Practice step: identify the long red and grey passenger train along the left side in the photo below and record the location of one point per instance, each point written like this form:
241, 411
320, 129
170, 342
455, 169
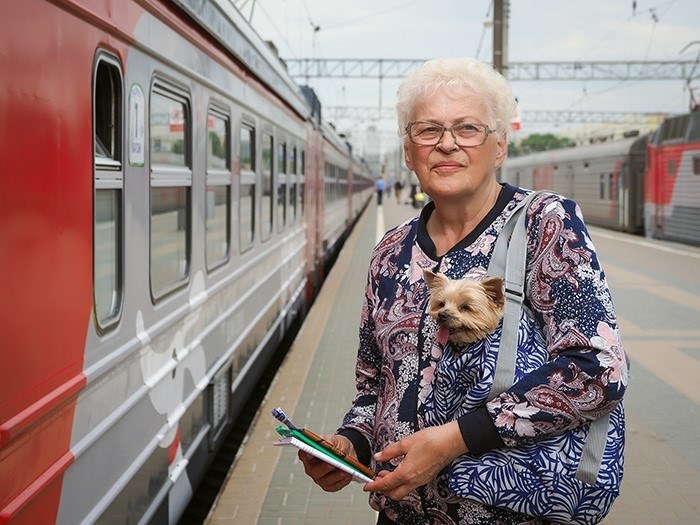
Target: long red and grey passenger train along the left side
170, 202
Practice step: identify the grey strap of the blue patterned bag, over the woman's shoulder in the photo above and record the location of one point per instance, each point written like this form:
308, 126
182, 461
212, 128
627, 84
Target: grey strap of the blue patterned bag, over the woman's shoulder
508, 261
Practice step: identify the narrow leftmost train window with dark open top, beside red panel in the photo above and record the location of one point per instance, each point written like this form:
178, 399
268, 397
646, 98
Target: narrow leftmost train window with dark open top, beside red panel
109, 185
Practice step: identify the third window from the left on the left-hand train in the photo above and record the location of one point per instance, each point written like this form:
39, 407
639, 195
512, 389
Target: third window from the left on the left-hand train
218, 202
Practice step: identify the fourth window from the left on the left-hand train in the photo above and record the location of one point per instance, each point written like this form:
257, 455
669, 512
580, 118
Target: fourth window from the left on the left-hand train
246, 198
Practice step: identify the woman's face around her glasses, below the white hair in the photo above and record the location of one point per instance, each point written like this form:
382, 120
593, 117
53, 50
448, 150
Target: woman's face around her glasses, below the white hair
447, 171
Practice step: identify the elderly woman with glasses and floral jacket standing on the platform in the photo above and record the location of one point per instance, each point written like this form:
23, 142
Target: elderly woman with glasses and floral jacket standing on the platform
453, 115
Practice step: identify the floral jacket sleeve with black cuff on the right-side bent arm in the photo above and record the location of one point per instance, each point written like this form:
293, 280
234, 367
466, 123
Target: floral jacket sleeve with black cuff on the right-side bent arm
568, 295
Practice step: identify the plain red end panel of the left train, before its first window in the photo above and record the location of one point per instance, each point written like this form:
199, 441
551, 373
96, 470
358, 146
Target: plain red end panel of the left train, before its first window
45, 245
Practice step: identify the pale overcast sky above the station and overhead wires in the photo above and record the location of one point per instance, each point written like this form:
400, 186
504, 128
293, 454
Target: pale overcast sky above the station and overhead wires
538, 31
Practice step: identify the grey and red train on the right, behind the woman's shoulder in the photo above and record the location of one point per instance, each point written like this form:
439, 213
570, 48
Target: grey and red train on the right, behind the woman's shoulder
646, 185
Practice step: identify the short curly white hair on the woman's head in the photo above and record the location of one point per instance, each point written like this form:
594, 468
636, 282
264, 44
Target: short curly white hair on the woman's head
457, 76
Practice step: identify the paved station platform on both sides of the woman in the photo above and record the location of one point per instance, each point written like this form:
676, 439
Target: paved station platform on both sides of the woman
314, 385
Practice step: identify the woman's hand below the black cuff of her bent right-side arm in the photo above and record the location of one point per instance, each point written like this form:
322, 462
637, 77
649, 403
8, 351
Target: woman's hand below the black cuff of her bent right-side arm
425, 453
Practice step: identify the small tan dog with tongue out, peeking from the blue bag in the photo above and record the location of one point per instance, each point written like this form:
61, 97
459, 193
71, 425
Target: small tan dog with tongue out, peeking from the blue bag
464, 309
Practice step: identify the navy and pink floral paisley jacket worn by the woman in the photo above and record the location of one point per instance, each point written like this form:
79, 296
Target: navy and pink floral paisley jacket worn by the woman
573, 368
